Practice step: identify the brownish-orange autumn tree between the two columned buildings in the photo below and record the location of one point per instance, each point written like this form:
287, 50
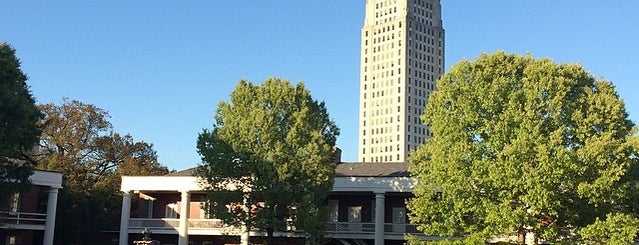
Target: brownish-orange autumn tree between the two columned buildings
78, 141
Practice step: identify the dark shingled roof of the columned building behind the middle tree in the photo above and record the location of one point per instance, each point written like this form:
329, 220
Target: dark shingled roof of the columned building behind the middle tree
354, 169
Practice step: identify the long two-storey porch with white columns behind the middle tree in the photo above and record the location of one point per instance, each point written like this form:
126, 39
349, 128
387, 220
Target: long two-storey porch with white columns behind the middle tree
368, 208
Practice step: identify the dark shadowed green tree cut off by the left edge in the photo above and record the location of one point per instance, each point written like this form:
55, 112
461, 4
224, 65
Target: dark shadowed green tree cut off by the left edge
18, 129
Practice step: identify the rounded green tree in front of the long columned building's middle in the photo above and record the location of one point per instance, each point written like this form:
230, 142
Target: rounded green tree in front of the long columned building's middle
268, 161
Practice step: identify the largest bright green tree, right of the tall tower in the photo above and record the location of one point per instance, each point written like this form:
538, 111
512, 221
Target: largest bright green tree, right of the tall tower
529, 146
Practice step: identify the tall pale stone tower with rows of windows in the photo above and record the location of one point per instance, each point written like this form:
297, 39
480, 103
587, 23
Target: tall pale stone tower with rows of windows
401, 58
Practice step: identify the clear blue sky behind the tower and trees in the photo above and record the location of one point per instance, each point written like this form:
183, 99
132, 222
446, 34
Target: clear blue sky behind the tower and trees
160, 67
